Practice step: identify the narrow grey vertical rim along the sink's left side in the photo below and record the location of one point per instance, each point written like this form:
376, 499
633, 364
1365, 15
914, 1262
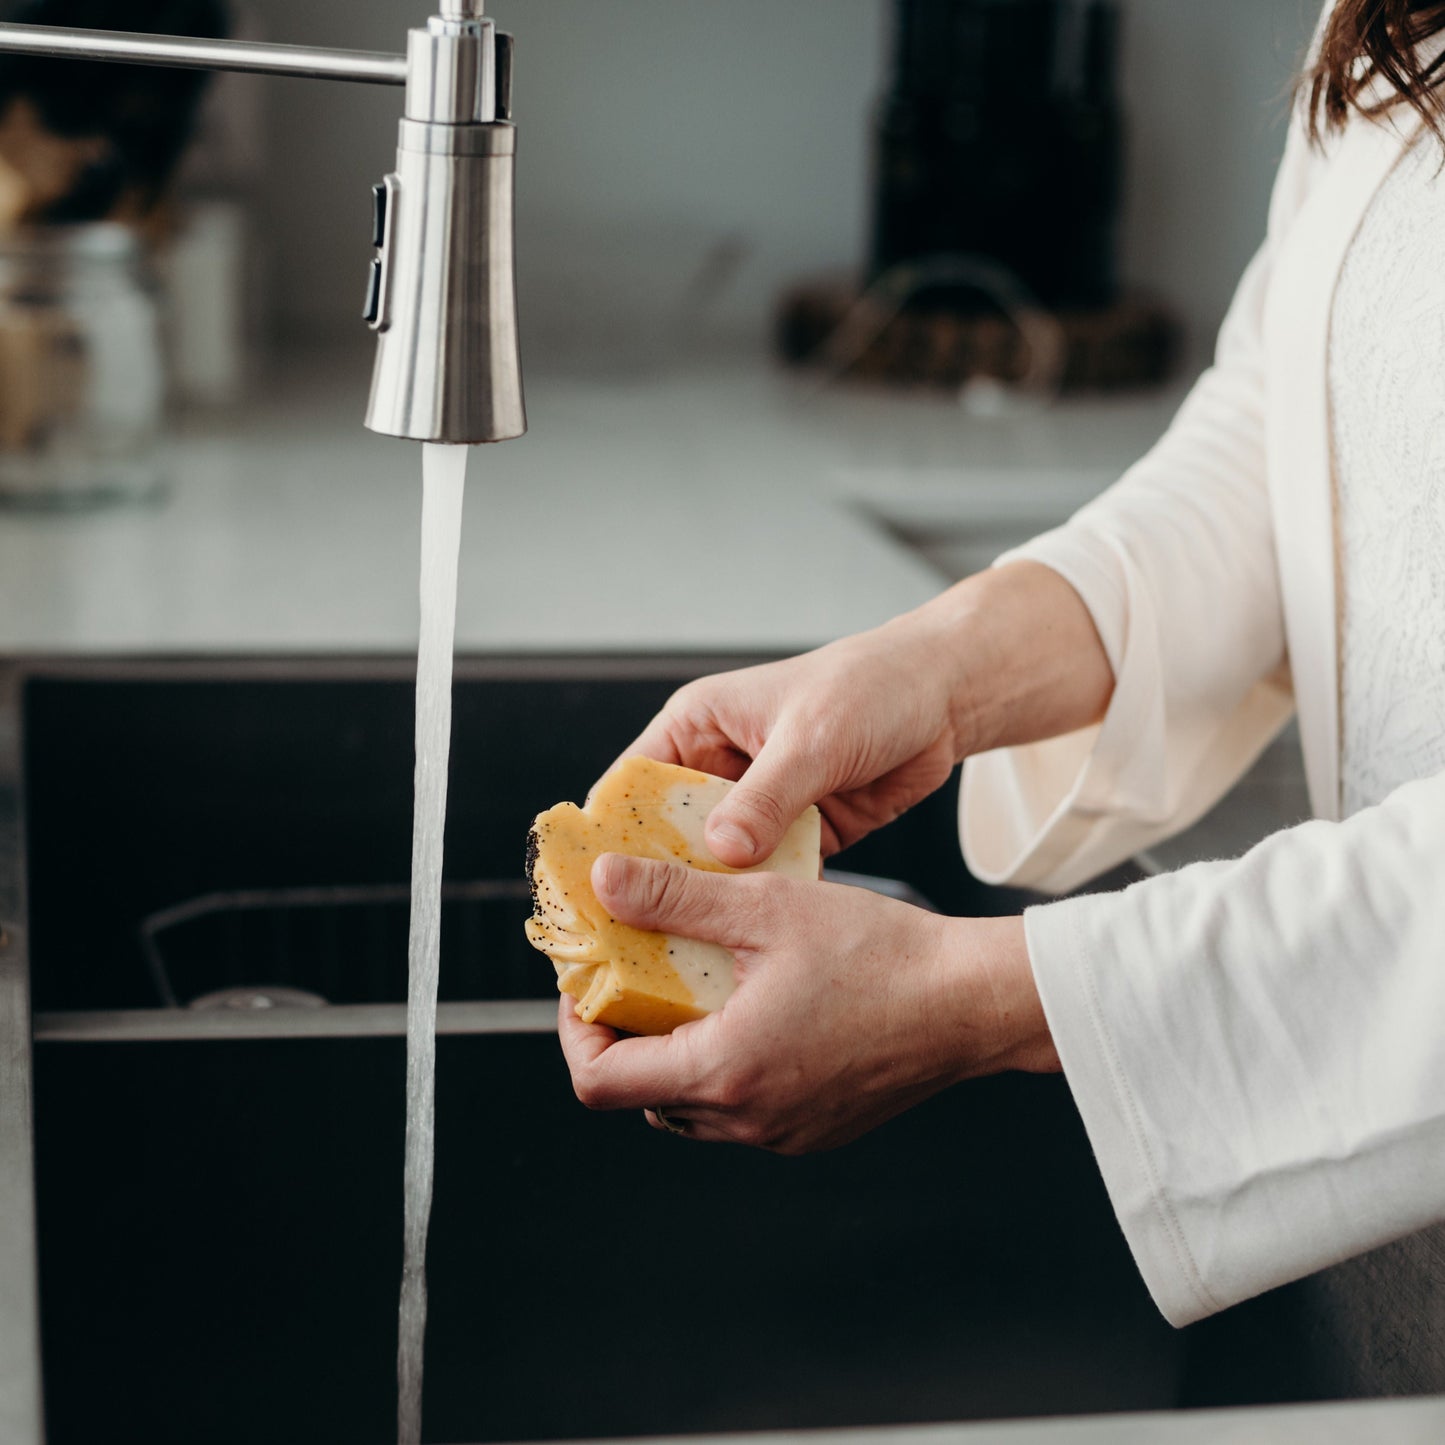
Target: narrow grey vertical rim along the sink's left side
21, 1410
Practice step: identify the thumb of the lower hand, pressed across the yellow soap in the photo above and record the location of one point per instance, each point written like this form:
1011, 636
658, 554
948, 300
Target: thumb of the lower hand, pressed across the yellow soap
668, 898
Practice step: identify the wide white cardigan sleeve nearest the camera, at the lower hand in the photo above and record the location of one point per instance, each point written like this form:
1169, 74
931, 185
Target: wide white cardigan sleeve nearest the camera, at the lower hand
1258, 1050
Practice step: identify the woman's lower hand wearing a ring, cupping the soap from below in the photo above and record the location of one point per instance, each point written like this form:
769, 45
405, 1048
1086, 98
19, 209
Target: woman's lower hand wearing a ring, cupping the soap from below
850, 1009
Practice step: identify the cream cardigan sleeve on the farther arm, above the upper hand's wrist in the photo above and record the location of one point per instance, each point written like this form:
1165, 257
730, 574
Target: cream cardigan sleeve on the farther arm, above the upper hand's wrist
1177, 566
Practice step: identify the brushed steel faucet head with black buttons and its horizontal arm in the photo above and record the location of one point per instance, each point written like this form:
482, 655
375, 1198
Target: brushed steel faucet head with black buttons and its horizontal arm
441, 294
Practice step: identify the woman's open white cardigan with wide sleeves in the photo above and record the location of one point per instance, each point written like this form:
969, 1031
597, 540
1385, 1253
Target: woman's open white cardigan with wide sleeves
1256, 1047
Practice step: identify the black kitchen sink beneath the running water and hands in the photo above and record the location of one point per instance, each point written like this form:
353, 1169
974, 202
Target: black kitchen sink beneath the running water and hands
219, 1189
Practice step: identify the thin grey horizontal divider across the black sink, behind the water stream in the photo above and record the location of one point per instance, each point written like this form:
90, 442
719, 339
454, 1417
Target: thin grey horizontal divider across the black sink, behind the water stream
362, 1021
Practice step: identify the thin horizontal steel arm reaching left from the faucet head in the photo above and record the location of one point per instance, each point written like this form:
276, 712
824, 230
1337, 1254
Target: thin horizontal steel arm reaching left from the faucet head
184, 53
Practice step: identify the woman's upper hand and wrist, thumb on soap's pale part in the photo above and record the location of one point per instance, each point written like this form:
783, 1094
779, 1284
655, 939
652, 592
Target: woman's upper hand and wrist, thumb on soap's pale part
871, 726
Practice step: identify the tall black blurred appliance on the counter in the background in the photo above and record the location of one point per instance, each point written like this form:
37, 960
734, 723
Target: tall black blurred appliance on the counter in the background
1001, 138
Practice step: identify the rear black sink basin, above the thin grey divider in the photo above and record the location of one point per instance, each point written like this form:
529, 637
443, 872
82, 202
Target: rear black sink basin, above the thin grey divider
256, 785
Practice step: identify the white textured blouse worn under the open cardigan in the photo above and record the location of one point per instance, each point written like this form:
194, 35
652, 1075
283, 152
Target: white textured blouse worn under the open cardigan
1388, 410
